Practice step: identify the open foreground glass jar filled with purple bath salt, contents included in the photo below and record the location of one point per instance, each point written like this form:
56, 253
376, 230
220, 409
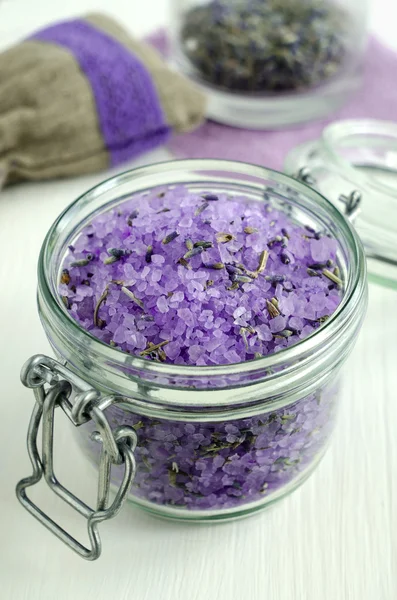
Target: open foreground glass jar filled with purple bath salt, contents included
206, 307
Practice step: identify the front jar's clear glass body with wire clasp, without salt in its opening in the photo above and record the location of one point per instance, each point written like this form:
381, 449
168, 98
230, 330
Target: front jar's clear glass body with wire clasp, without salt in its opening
212, 443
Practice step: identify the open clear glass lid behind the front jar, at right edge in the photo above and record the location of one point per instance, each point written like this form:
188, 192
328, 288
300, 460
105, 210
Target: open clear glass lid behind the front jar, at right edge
354, 164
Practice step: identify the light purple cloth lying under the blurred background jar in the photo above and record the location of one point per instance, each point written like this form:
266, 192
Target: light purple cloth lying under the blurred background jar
376, 100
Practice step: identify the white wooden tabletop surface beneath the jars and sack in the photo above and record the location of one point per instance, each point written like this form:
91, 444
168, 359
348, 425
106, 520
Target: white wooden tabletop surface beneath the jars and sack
334, 539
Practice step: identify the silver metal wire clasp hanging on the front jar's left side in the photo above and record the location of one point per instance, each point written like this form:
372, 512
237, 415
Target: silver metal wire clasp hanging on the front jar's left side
54, 385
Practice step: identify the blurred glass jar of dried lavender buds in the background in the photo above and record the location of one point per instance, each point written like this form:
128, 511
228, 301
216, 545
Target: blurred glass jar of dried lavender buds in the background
270, 63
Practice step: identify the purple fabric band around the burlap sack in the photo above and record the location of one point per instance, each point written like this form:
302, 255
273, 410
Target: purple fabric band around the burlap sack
129, 112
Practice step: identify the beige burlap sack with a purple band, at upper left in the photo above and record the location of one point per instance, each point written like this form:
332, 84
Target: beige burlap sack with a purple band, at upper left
83, 95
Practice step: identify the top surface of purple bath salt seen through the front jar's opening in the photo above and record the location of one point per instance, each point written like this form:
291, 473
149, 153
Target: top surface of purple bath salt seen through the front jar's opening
195, 279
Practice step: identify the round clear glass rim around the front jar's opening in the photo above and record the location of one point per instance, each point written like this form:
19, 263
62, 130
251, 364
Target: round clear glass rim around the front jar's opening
293, 354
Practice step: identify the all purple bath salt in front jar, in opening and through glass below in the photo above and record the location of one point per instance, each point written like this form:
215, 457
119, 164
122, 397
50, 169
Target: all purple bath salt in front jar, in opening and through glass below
181, 277
